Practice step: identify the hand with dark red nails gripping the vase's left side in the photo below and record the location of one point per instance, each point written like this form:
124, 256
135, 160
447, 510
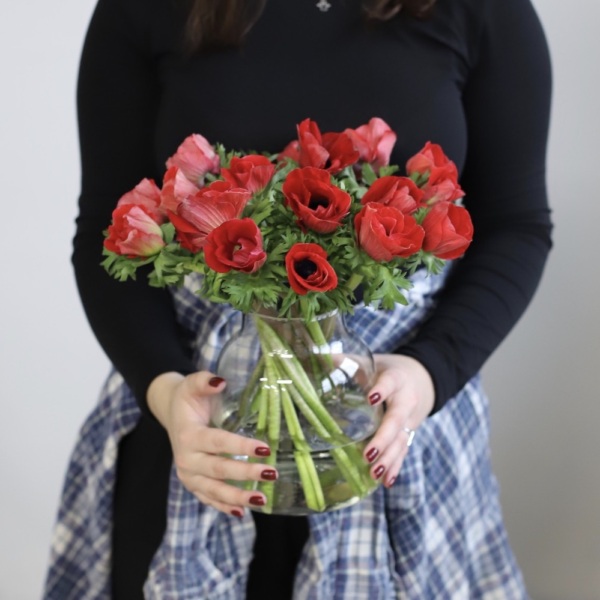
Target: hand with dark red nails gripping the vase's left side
182, 405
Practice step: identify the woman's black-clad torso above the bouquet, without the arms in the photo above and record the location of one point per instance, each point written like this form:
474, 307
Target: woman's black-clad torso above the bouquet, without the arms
299, 62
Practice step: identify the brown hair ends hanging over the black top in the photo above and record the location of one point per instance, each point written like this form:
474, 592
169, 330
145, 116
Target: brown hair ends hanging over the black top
223, 23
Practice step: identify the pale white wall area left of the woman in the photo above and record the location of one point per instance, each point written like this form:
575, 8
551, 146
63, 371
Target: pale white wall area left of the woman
50, 366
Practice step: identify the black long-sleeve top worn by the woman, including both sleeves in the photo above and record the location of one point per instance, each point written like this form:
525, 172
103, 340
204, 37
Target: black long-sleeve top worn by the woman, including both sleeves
474, 77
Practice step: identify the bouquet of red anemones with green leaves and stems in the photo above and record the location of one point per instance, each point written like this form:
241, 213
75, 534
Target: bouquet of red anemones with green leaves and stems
295, 234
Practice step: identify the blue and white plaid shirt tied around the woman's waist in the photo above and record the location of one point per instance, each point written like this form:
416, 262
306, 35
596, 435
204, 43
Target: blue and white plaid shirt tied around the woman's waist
437, 534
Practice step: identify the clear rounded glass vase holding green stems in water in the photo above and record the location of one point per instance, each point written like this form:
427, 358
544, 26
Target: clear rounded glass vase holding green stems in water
301, 388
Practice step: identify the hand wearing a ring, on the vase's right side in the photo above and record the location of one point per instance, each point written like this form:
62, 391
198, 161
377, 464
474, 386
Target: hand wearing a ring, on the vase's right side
406, 387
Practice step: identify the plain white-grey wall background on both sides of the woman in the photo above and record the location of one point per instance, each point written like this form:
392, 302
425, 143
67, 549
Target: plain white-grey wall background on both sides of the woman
543, 381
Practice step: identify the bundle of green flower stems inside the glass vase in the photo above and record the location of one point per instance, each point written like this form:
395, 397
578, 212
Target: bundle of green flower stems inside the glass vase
284, 391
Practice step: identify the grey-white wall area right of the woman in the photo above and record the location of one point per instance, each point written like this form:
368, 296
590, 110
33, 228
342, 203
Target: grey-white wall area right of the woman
545, 379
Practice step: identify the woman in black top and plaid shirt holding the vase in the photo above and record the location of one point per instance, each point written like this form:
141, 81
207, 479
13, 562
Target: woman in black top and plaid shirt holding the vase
471, 75
